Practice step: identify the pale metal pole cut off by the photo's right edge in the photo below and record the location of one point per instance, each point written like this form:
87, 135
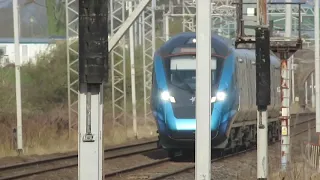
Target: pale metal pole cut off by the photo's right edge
317, 64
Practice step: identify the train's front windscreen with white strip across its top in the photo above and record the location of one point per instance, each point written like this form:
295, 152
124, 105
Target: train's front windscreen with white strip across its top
183, 71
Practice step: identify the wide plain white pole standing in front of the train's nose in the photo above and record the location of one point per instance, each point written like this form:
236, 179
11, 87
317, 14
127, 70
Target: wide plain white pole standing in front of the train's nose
203, 91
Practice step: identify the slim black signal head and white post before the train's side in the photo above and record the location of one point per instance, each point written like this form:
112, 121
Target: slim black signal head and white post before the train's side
262, 98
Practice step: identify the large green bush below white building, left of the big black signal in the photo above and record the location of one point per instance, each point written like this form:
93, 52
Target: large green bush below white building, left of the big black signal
43, 85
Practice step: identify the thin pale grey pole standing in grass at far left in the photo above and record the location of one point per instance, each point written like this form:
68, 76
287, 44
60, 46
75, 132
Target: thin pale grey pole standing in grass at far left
17, 71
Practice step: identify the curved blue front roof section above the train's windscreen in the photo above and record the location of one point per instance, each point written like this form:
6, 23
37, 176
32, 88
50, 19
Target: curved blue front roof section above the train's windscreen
219, 45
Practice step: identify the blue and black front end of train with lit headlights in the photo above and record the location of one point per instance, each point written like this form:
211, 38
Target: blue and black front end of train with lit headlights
174, 100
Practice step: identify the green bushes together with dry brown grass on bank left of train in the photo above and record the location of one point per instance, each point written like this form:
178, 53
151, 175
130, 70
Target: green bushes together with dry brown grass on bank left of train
44, 93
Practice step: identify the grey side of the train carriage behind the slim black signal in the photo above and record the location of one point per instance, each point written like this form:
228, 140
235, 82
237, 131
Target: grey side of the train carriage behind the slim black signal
246, 85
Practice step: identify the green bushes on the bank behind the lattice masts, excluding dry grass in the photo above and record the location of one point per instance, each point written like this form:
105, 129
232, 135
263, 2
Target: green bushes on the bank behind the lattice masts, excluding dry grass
44, 84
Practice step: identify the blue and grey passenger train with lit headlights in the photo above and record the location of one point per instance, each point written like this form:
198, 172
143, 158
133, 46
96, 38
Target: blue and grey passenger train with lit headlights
234, 112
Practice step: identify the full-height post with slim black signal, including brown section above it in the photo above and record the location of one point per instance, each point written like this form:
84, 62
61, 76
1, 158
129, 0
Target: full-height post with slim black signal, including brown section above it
262, 75
